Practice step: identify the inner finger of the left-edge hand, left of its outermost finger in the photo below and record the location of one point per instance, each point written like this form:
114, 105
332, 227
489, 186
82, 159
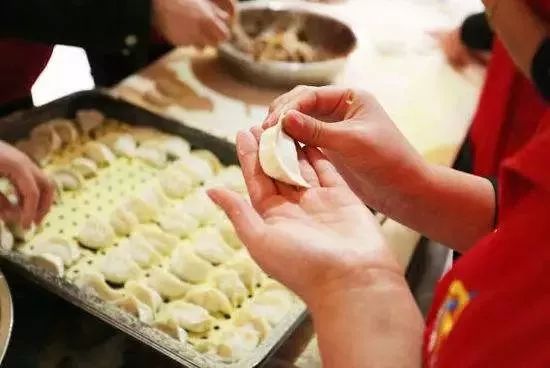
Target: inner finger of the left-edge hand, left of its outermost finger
27, 189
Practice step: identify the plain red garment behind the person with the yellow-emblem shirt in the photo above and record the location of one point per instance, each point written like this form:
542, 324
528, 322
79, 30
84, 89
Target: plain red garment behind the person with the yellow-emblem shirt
509, 109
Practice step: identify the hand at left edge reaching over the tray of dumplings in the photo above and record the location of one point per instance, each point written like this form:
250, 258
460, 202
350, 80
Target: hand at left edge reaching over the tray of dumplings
34, 190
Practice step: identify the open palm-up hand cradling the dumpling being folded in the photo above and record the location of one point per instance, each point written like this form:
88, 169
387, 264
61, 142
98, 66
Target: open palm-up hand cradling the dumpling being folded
316, 240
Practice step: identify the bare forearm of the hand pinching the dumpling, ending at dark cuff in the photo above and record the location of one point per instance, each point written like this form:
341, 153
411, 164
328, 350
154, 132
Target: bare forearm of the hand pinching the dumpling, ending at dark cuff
446, 205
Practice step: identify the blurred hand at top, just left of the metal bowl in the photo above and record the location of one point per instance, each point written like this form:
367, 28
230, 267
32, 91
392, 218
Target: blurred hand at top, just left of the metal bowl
193, 22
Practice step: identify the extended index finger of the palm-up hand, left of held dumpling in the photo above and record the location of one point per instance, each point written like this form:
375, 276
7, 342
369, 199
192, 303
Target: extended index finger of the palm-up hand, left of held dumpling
259, 185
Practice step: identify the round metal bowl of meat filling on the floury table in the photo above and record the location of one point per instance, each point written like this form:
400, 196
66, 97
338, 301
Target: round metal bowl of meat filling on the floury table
284, 44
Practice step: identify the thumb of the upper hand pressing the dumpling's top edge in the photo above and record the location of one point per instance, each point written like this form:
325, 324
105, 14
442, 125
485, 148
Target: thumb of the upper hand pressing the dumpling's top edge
316, 133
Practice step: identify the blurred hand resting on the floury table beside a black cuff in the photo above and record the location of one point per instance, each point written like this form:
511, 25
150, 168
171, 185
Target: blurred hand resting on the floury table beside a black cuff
458, 55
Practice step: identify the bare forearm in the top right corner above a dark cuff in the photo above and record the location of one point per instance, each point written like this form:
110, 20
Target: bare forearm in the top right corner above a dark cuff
518, 28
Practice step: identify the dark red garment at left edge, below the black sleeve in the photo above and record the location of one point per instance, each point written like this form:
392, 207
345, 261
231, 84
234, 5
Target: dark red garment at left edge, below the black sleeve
20, 65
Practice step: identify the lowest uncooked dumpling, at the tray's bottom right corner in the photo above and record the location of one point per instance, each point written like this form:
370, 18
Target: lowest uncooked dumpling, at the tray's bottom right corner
238, 342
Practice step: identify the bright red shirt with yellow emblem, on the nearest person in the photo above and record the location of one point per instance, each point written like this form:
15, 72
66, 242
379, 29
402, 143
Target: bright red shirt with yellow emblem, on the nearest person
493, 308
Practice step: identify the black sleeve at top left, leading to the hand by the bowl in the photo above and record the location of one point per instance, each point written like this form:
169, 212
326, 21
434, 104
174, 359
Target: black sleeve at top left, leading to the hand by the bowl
108, 25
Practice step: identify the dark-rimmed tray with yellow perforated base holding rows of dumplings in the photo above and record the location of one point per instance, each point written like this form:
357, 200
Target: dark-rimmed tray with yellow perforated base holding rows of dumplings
63, 219
